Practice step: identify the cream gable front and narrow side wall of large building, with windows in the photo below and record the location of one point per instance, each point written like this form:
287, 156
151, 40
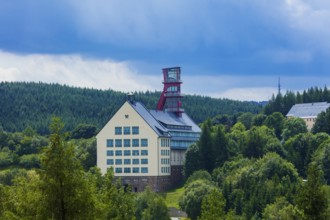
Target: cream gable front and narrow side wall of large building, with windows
131, 146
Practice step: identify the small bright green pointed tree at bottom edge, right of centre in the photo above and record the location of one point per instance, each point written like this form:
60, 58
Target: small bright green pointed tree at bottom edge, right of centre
213, 205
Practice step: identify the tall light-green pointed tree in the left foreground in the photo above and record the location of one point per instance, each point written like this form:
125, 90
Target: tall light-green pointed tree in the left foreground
64, 186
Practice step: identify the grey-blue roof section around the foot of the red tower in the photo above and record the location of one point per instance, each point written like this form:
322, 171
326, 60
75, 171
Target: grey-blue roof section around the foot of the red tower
171, 120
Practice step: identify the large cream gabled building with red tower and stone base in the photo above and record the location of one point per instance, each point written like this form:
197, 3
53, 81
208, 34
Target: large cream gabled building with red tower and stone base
147, 147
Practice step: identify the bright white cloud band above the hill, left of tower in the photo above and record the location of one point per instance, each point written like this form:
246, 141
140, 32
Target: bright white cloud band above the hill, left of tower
75, 71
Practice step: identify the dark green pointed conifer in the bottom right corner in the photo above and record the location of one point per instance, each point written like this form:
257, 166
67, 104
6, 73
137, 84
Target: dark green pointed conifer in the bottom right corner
312, 197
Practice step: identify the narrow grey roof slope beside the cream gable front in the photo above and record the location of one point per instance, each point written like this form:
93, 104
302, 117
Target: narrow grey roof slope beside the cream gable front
149, 119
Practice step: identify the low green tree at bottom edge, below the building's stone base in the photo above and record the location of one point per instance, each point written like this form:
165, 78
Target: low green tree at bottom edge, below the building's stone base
151, 206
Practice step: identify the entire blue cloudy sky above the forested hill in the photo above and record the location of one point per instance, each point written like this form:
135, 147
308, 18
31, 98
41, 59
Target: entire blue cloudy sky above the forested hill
234, 49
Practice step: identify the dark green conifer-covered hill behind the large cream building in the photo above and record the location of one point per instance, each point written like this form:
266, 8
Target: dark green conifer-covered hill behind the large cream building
33, 104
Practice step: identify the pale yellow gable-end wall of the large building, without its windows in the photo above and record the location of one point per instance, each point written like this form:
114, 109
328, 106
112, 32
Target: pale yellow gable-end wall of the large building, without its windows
145, 131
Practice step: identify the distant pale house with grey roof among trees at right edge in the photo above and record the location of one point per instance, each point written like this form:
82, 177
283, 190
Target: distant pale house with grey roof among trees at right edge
308, 112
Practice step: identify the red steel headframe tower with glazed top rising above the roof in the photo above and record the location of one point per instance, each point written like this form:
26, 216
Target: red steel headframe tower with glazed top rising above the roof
170, 98
